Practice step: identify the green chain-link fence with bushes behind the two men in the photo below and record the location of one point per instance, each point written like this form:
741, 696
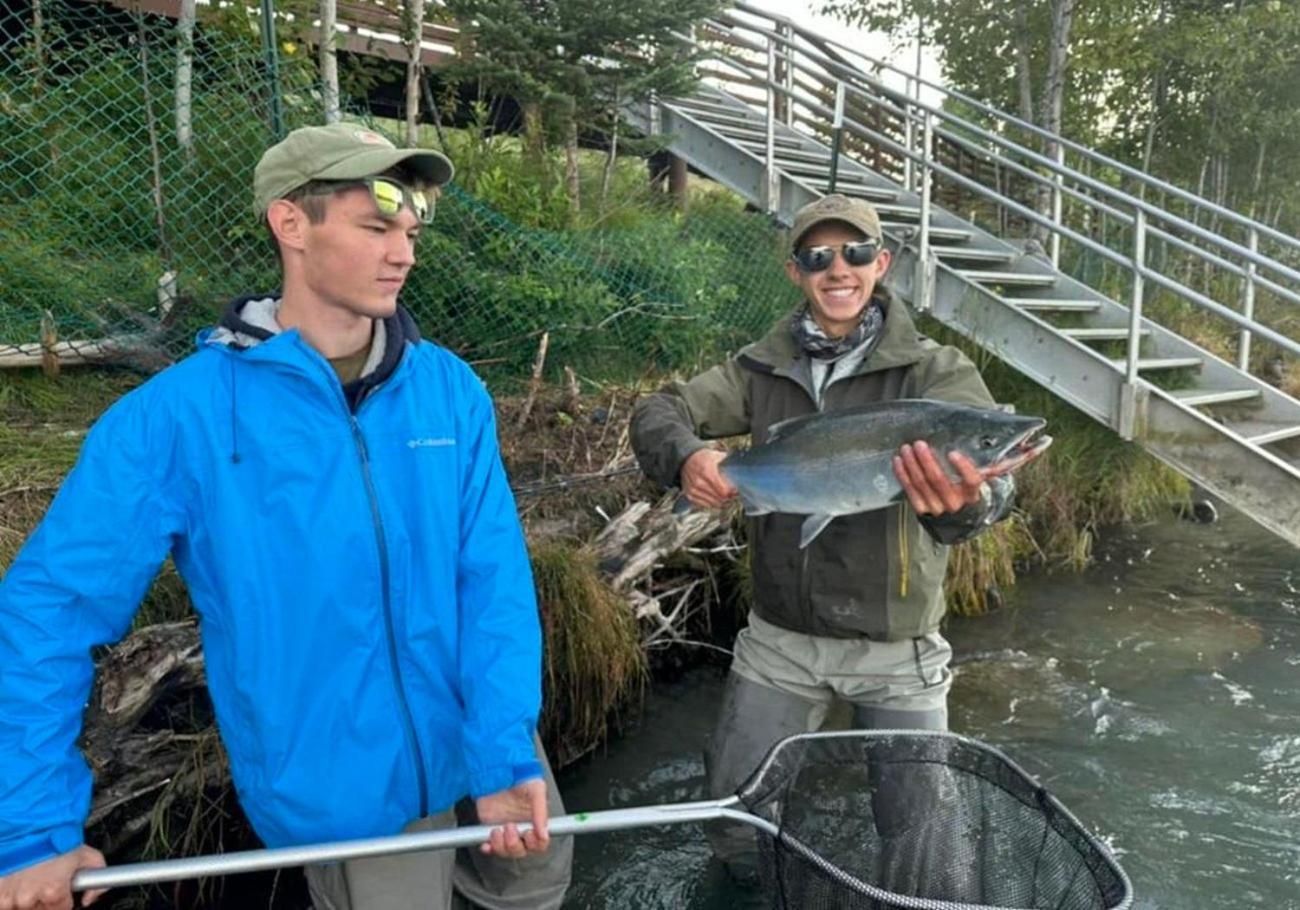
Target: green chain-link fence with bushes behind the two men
127, 223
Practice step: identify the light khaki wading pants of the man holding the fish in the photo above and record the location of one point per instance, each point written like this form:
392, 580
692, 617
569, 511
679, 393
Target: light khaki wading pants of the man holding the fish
785, 683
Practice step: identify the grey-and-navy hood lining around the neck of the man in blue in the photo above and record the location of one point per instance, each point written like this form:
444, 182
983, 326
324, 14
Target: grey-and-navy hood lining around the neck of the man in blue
252, 319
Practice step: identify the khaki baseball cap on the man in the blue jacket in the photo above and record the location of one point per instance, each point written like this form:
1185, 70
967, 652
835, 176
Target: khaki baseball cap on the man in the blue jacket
339, 153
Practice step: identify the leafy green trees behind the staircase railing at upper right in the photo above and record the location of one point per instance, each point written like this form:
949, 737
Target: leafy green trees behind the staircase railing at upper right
1214, 90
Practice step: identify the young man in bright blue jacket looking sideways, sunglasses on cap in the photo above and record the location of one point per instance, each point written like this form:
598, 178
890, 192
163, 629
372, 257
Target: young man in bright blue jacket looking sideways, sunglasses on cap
331, 489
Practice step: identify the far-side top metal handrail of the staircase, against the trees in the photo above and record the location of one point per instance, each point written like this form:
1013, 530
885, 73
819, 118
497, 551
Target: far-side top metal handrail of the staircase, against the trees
1129, 171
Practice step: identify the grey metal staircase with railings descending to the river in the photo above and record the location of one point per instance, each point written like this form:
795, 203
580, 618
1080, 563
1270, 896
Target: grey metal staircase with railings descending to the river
786, 115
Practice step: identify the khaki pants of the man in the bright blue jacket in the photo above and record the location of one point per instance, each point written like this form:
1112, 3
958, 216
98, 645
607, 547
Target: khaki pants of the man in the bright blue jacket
450, 879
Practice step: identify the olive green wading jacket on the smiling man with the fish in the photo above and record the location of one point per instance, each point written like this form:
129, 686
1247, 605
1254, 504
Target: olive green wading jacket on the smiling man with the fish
877, 575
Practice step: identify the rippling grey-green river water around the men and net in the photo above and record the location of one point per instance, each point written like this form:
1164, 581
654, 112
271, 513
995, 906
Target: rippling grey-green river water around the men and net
1156, 695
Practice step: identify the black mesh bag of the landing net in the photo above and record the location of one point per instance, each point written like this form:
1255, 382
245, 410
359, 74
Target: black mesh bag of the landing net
920, 821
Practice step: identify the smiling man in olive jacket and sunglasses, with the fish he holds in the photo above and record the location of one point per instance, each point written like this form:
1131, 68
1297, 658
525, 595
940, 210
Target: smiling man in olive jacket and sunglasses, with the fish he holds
848, 578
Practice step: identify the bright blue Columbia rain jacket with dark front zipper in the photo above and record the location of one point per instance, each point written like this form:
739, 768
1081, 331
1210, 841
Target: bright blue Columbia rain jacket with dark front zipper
365, 593
